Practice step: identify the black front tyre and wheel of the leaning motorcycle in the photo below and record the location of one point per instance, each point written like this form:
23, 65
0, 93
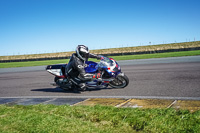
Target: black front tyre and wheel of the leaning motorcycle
120, 81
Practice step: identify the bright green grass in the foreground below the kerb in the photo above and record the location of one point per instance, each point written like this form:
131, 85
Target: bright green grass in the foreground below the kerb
101, 119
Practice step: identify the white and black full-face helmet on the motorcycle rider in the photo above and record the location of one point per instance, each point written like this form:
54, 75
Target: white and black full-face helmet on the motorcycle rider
82, 52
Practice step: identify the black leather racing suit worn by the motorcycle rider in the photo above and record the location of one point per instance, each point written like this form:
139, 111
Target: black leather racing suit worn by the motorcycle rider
75, 69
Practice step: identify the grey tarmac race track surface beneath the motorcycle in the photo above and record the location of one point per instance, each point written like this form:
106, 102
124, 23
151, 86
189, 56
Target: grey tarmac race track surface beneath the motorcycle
164, 78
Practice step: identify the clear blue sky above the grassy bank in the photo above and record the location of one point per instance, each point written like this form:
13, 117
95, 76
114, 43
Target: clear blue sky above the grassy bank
46, 26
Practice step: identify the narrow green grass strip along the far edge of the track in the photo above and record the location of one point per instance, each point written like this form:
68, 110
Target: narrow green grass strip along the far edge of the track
126, 57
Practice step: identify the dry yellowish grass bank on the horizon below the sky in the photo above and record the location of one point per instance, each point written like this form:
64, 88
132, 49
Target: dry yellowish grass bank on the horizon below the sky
110, 50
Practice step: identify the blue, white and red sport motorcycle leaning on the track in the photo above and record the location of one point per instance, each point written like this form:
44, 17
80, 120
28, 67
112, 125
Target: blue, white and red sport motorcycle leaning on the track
111, 75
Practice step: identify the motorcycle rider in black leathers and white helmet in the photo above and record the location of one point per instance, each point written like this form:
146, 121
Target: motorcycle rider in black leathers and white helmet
75, 68
